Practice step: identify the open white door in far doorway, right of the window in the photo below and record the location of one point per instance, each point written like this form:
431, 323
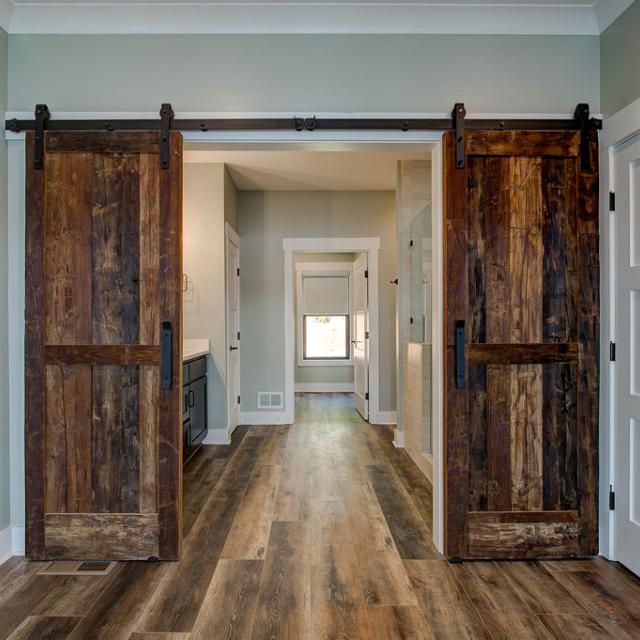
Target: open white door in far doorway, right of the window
360, 335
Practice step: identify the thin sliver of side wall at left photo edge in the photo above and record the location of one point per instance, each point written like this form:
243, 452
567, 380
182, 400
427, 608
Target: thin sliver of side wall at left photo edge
5, 510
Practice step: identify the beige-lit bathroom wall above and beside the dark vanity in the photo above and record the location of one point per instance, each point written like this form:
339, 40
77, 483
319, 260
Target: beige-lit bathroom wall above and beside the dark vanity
209, 200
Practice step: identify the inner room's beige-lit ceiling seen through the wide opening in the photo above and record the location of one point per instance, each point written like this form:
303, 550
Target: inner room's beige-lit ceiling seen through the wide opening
308, 170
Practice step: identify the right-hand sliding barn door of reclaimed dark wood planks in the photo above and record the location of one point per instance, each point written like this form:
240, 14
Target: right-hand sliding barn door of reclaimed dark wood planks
521, 314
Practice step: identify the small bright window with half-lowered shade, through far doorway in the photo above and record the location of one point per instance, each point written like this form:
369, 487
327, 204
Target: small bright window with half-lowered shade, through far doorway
323, 314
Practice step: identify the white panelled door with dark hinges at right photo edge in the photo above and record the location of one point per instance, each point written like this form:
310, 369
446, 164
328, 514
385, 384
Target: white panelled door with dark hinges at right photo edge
626, 309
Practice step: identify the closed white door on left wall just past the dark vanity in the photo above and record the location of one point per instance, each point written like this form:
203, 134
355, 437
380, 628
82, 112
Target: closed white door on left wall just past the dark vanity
233, 326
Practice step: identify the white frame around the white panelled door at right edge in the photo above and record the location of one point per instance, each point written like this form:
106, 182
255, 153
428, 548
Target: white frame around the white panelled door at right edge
616, 130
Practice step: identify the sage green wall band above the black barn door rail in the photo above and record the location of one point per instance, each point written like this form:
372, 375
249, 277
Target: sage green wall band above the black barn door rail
410, 73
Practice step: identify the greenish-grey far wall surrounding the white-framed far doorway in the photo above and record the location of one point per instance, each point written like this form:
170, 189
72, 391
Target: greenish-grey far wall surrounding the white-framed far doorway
265, 218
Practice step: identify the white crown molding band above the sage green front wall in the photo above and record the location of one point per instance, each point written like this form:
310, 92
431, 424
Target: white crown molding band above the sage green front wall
554, 17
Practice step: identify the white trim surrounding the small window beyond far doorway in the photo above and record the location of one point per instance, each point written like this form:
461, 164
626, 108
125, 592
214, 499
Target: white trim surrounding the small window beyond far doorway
319, 269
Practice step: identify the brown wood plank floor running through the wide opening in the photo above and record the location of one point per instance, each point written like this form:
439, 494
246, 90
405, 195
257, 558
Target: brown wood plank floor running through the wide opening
320, 530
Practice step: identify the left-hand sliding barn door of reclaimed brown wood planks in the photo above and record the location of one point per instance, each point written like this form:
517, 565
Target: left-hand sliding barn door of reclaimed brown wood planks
103, 347
